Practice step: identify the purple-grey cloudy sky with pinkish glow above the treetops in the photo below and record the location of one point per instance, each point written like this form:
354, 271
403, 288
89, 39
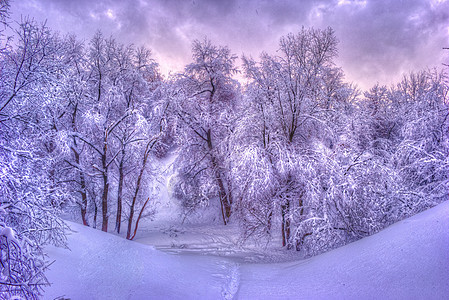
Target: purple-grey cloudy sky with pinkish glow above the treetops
379, 39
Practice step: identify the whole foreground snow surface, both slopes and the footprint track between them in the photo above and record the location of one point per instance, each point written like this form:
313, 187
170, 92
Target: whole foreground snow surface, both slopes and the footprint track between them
408, 260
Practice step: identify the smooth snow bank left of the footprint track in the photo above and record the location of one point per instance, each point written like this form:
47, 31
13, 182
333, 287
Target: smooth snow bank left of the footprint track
104, 266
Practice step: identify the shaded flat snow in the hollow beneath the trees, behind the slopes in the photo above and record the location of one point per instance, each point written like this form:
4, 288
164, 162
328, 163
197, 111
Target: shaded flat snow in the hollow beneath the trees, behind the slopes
202, 232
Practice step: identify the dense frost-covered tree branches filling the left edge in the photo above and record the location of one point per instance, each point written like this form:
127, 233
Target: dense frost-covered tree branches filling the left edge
31, 195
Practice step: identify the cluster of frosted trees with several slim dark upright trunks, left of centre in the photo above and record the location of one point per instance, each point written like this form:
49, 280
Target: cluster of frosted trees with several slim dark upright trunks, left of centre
112, 104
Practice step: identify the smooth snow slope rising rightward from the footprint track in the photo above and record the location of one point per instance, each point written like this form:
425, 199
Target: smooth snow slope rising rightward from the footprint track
408, 260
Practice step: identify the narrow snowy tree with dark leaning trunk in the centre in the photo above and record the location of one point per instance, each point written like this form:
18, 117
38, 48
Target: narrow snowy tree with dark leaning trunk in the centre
203, 103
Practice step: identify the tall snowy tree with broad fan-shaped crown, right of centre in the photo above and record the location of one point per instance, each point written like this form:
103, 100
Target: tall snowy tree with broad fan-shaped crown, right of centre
292, 98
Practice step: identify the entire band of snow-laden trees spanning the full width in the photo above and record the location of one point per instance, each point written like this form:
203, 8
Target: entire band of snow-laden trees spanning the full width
291, 152
